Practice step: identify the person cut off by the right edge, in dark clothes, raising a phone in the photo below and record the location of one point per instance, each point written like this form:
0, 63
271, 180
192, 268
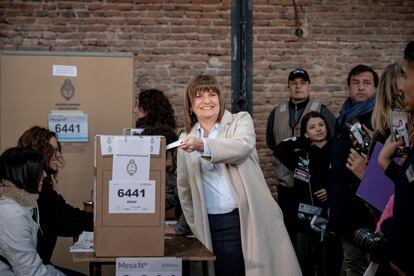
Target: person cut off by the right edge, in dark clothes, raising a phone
399, 231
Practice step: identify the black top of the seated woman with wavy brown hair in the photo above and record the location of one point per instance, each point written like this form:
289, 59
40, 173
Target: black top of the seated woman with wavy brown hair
57, 218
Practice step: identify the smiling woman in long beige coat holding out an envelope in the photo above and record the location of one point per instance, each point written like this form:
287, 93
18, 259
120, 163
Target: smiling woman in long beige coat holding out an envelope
223, 193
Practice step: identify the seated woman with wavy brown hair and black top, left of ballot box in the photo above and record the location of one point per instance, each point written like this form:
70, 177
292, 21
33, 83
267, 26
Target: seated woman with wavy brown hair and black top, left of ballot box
57, 217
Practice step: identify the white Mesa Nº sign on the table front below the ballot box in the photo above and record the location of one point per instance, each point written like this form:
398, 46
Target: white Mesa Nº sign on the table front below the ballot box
149, 266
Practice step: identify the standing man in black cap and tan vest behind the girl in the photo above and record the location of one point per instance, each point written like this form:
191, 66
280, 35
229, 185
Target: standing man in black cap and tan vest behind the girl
284, 122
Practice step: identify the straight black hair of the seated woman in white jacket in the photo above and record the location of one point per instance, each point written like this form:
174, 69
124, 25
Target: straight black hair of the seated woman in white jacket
23, 167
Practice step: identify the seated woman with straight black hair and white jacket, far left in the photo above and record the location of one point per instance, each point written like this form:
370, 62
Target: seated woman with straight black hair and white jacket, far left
21, 173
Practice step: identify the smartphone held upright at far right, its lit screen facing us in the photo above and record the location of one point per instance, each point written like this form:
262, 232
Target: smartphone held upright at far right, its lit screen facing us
399, 127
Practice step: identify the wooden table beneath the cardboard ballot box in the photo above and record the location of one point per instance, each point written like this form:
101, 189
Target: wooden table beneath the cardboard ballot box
189, 249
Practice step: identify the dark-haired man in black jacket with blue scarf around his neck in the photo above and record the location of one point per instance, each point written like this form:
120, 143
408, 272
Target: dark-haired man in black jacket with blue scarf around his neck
347, 211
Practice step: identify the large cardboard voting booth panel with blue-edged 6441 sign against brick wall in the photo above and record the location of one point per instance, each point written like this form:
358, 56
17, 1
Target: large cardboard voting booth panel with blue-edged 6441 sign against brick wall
93, 91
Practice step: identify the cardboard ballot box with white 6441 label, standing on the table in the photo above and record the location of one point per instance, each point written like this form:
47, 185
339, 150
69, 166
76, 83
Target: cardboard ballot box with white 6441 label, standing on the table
129, 216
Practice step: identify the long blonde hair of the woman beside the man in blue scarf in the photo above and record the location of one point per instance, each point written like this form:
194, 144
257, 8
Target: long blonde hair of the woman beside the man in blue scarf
388, 97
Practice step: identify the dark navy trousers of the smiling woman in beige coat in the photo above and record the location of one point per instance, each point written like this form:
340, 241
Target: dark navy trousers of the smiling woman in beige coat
226, 239
